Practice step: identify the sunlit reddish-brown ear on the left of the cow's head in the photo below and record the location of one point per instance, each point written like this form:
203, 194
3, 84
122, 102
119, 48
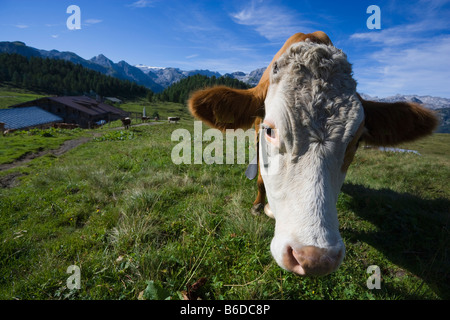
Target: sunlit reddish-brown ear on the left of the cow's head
227, 108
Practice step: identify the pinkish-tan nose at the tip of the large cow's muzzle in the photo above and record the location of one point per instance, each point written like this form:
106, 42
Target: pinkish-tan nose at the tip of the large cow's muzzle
311, 261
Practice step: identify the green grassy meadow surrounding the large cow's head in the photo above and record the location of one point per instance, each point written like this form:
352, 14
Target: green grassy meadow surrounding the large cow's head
140, 227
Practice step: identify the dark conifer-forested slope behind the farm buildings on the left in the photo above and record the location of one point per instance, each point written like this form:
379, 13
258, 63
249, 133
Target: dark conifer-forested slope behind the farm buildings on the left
61, 77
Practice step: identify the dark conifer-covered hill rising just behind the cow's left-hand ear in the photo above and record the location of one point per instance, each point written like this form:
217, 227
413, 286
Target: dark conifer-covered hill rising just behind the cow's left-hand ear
179, 92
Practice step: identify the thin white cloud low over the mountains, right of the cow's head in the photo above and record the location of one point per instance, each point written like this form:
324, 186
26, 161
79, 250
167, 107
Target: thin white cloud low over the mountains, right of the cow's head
421, 69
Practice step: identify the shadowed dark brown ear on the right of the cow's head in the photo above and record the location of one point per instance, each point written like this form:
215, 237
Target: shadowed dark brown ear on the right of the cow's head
393, 123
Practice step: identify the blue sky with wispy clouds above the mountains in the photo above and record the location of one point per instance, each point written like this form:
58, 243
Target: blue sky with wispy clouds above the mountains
410, 54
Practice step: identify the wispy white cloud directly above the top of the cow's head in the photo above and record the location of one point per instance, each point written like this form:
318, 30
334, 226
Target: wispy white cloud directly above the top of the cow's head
270, 21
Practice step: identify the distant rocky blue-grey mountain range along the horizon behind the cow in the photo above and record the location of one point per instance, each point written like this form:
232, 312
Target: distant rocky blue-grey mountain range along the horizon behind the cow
157, 79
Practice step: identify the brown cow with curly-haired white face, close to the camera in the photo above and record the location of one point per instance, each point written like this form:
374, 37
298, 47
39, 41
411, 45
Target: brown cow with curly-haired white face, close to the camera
309, 120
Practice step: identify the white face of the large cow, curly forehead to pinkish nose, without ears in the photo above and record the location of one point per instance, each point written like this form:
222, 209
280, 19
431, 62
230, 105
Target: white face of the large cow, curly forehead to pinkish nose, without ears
309, 136
